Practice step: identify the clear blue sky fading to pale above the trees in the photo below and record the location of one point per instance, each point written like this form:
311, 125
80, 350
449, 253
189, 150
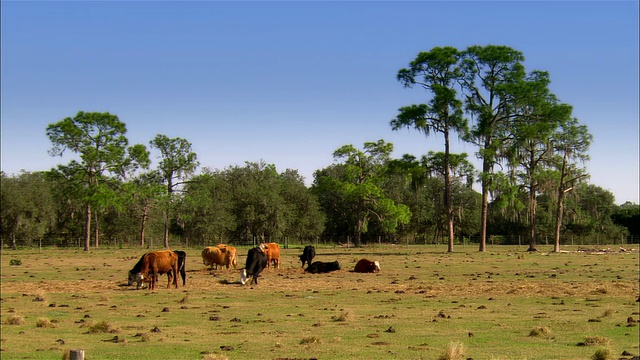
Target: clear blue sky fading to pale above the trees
290, 82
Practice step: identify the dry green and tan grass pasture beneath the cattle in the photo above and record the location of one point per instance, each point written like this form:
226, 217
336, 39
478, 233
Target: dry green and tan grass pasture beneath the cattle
424, 304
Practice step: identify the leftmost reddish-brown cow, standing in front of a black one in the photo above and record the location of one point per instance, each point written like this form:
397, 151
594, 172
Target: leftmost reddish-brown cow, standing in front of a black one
153, 264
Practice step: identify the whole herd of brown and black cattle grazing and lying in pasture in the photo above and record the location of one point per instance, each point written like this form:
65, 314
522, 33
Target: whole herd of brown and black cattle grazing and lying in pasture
172, 262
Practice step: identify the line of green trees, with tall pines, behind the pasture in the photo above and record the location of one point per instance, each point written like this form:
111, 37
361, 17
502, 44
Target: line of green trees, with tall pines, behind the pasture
531, 148
